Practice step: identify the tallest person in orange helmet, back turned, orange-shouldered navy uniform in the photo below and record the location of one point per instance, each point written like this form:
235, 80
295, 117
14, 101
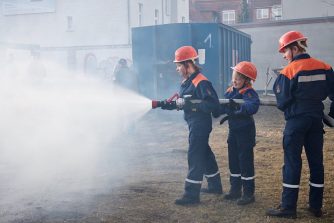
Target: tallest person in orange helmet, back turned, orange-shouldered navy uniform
300, 89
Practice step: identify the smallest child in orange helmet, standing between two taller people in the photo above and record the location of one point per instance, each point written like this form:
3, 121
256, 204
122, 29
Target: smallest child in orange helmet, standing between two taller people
241, 137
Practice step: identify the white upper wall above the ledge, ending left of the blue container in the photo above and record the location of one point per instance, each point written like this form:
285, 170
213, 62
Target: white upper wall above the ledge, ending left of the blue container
94, 23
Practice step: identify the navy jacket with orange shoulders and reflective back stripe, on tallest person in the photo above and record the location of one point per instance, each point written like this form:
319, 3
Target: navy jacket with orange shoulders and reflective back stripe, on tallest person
302, 86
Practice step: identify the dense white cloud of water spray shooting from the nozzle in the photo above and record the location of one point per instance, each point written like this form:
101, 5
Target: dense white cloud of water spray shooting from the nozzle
59, 128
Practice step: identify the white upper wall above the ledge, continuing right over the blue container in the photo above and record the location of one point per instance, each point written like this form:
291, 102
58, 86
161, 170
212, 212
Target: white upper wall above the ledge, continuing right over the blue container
95, 22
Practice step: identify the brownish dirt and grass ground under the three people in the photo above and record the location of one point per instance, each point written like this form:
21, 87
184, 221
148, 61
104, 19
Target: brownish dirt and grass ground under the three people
157, 167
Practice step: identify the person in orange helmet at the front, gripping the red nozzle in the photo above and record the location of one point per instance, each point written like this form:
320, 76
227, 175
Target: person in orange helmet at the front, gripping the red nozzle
201, 160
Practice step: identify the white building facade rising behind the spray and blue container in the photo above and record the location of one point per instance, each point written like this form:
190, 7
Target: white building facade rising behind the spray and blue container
86, 36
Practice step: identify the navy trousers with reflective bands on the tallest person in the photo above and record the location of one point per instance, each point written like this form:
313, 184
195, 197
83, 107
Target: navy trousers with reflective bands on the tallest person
308, 132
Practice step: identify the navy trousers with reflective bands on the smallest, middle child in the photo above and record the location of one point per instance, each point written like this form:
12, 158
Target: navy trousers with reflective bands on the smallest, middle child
241, 159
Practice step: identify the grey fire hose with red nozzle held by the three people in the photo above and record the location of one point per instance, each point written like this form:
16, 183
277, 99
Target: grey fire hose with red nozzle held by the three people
171, 104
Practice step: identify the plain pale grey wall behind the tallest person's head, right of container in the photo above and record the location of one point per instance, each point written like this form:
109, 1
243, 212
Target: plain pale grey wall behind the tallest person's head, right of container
265, 46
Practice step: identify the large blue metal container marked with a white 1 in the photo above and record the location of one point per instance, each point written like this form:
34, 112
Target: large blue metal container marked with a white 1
219, 46
